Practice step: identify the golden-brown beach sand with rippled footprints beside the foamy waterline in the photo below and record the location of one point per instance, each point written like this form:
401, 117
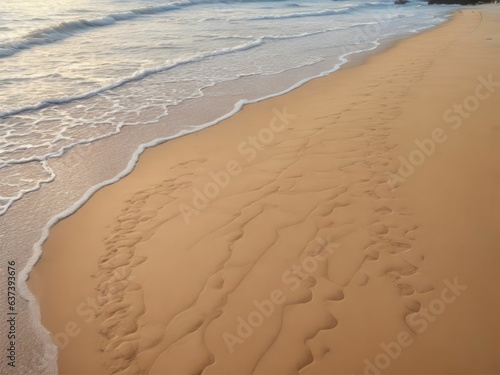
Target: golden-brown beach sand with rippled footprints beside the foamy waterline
306, 259
